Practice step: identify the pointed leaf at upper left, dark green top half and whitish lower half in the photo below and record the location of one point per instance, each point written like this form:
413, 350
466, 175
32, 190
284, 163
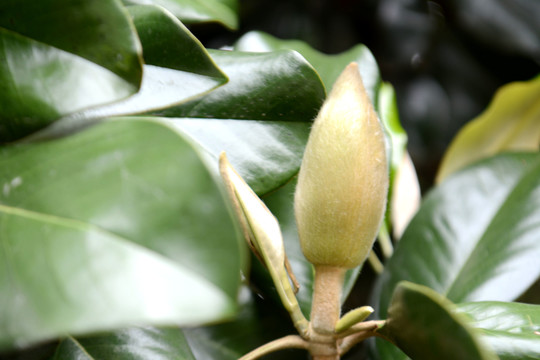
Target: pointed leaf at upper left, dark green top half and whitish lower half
177, 68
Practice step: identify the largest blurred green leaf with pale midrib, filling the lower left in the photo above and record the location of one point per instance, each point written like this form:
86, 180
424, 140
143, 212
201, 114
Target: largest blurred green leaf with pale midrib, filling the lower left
104, 228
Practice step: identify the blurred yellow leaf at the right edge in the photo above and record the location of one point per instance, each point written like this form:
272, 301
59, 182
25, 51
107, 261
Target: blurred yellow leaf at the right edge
510, 123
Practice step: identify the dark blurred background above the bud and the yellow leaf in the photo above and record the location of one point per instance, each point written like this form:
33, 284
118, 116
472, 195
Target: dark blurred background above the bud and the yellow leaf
445, 58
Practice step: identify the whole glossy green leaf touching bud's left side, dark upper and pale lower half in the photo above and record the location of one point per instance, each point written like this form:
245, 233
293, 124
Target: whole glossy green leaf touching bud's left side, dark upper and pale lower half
266, 151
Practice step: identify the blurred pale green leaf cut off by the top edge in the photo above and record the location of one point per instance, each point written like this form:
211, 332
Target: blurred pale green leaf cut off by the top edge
196, 11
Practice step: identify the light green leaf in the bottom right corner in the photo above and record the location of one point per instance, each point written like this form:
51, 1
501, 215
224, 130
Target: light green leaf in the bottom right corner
511, 329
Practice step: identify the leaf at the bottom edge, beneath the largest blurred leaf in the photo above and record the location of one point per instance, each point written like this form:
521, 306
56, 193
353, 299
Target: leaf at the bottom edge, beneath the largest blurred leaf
129, 344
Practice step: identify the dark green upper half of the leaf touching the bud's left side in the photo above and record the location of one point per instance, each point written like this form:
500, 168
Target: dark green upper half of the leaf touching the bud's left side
279, 86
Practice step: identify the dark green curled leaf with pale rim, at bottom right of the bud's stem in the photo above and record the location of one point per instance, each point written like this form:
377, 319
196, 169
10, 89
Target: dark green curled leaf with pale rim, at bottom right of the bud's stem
422, 324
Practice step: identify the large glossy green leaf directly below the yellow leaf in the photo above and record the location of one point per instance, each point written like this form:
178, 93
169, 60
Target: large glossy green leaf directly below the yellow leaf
475, 236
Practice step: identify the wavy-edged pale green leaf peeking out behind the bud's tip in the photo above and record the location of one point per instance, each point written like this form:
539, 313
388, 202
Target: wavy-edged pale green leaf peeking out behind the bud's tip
328, 66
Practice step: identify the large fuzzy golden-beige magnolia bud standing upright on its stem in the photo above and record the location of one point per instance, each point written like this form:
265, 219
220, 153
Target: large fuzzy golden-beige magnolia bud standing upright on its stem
343, 181
